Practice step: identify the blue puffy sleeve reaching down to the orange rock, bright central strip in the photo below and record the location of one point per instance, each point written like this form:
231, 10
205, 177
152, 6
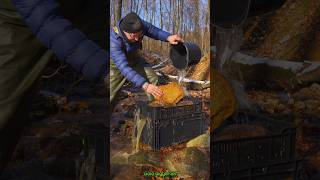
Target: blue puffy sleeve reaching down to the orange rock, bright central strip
120, 59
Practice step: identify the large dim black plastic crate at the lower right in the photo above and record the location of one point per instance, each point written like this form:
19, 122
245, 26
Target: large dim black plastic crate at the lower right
254, 156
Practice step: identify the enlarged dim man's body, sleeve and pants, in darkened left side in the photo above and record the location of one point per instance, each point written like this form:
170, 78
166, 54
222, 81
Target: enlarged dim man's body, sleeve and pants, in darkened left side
73, 30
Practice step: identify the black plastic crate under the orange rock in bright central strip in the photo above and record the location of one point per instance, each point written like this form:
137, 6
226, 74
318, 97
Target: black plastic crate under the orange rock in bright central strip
166, 126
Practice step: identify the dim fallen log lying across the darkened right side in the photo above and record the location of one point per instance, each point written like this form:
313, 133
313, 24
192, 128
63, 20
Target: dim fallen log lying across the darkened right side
262, 73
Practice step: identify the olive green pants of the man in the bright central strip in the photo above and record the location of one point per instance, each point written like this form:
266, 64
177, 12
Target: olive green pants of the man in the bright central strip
117, 80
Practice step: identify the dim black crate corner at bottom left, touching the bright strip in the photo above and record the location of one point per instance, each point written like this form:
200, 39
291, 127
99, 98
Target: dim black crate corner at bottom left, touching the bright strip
94, 144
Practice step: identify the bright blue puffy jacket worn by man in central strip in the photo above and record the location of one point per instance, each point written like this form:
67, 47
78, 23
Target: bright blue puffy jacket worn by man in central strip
119, 46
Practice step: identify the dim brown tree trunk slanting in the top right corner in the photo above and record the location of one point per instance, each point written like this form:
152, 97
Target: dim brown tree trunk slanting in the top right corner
290, 29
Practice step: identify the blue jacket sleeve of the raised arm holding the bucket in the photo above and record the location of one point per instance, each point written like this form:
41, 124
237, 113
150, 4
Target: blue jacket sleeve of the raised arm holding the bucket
154, 32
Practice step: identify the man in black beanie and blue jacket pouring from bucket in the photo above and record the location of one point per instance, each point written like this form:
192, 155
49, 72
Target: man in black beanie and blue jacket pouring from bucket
126, 61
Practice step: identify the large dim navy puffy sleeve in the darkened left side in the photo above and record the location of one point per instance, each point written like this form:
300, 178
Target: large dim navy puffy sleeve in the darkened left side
68, 43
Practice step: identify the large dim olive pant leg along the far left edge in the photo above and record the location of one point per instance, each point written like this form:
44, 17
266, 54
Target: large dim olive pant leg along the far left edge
22, 59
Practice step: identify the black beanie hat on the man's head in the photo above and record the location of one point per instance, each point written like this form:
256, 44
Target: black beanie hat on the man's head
131, 23
